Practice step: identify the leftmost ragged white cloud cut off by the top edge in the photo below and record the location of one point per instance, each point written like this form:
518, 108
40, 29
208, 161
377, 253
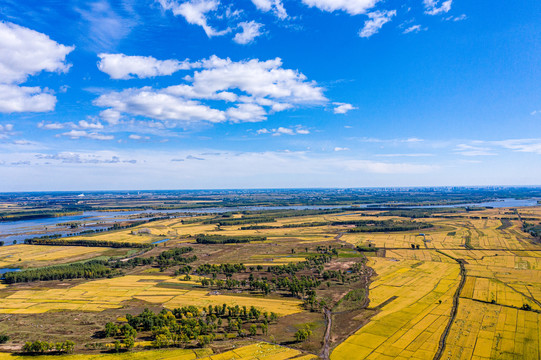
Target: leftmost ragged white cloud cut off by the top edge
195, 12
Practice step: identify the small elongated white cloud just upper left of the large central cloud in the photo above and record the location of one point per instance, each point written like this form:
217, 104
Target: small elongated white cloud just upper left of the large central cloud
120, 66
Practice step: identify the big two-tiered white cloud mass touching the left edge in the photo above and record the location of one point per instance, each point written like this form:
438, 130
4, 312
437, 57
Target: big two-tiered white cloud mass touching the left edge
23, 53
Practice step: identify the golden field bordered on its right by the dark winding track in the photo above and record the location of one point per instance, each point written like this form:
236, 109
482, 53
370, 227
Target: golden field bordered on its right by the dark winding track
410, 326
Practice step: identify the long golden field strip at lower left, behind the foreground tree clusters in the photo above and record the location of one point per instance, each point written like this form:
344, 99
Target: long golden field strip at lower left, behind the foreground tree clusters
99, 295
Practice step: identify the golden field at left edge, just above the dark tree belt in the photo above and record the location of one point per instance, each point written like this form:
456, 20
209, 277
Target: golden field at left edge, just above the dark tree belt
38, 255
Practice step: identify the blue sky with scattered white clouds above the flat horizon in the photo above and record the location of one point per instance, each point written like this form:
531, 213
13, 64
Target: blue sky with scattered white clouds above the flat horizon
171, 94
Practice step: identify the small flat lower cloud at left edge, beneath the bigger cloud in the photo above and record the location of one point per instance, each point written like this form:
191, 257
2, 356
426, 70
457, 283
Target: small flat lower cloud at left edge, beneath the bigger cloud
15, 98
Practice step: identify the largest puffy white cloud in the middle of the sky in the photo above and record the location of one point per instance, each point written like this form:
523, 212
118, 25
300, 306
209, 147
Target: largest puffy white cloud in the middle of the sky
254, 88
